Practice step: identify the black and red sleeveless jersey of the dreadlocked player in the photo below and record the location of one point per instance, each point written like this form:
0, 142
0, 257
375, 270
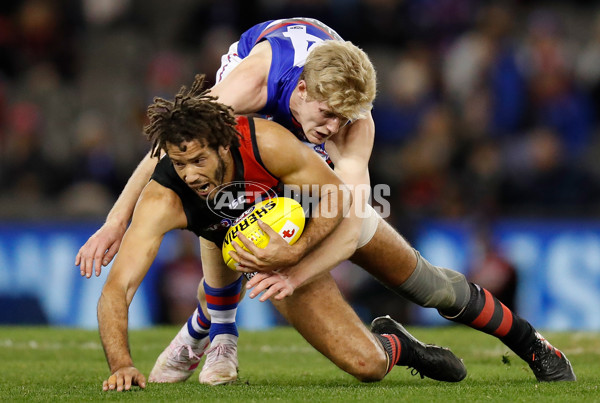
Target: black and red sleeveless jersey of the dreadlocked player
211, 218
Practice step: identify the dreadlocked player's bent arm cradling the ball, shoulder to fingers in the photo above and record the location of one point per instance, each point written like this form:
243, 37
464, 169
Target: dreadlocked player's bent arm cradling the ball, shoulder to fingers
299, 166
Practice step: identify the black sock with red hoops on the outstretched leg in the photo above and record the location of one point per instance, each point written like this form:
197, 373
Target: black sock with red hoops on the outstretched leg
486, 313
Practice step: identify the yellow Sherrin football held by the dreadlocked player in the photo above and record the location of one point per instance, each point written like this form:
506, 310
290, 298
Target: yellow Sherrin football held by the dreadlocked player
283, 214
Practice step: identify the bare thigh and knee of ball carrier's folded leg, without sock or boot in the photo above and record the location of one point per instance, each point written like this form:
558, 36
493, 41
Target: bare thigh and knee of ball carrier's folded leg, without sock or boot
322, 316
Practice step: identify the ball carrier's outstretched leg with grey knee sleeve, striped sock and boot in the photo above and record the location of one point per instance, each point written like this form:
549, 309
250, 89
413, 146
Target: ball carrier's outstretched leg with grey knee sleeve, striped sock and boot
392, 261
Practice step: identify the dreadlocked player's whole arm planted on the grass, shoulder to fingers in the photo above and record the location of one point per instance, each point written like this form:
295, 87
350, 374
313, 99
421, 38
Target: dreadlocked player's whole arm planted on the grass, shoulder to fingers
158, 211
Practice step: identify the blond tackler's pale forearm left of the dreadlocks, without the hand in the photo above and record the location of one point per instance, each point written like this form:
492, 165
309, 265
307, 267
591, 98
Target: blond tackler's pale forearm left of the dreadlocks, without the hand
123, 208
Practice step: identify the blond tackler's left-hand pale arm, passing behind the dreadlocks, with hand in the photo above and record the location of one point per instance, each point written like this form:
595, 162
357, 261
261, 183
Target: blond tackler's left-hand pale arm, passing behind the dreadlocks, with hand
244, 89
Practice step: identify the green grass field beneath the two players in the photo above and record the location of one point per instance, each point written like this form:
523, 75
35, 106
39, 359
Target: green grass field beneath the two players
53, 364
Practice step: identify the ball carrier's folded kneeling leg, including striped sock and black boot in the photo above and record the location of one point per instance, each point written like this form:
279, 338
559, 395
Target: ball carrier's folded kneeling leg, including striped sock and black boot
320, 314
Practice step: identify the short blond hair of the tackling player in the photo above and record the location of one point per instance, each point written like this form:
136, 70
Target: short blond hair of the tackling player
342, 75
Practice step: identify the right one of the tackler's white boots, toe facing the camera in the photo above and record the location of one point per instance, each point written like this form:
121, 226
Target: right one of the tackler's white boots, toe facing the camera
221, 365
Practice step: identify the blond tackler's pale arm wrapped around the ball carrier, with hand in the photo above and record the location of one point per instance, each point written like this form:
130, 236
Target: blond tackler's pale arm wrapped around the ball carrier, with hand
350, 153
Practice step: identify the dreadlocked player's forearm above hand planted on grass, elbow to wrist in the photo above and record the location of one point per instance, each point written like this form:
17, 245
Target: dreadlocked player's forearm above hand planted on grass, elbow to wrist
112, 323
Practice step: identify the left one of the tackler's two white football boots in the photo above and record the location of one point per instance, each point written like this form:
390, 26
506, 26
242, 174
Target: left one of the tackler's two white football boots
178, 361
